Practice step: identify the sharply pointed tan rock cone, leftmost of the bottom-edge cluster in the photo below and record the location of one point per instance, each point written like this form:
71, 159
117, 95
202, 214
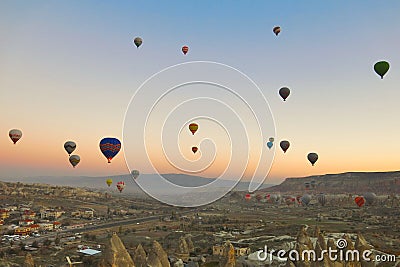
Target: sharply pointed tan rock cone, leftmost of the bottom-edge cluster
116, 254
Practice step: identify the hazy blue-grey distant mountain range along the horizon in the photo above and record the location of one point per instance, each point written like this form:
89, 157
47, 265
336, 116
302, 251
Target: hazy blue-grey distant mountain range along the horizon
131, 186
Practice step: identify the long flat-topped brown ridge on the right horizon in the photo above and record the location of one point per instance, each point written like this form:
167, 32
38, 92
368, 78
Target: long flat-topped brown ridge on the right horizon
350, 182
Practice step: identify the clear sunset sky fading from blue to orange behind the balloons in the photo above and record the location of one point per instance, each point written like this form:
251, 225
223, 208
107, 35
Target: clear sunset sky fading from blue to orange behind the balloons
68, 70
